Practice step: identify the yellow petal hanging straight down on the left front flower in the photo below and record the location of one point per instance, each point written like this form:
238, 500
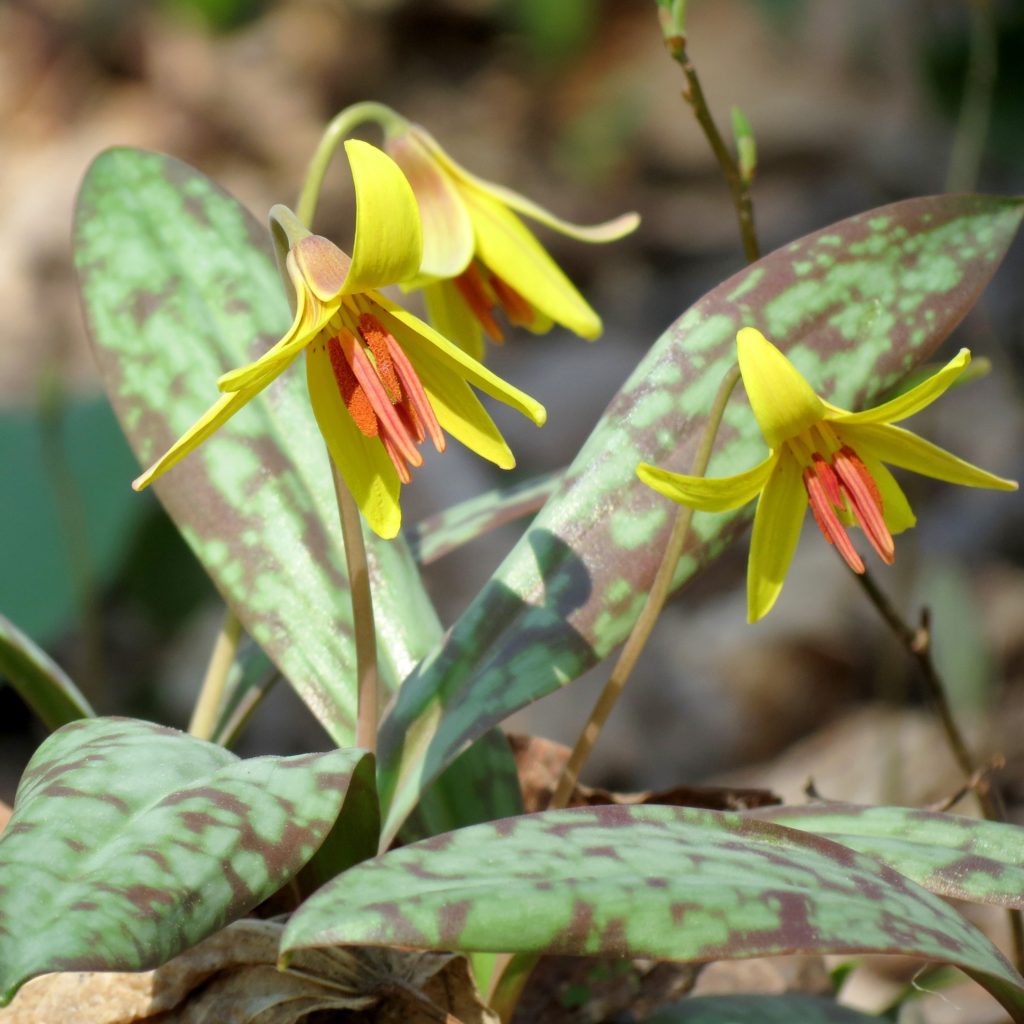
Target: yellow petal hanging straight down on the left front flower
364, 464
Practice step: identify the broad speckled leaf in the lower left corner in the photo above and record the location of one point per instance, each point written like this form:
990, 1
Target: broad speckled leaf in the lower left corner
131, 843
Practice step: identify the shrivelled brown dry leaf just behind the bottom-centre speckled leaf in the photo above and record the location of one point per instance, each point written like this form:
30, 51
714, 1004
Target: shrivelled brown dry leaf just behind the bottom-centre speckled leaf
540, 763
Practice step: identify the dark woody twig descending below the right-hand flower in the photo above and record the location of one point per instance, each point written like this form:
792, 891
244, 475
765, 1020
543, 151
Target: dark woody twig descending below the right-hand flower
918, 644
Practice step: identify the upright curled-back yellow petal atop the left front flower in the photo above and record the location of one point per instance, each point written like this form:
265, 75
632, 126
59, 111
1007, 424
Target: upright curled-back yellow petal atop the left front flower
389, 244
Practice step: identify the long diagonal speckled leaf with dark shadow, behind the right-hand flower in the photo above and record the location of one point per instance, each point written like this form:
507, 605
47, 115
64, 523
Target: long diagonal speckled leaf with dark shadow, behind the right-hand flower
856, 307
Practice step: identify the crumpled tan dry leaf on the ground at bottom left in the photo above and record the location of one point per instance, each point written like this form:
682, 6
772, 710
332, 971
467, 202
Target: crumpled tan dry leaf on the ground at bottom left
232, 978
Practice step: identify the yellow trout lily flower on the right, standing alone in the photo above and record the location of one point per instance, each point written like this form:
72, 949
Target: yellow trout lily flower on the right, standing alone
825, 457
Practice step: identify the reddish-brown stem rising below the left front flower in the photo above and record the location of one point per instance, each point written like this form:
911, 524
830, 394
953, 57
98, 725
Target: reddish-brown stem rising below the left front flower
363, 615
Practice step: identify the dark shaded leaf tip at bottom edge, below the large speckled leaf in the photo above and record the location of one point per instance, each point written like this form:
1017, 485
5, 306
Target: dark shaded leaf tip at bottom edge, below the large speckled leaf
793, 1008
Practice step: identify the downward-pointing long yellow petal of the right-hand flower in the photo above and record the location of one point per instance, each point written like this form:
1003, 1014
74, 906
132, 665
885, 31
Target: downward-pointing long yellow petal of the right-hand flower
777, 530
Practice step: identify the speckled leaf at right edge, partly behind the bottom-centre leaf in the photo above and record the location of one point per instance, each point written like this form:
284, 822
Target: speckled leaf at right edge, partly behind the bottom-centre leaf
953, 856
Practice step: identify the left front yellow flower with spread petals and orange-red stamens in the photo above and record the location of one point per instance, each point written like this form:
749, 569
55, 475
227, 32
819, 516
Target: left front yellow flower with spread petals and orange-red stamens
380, 380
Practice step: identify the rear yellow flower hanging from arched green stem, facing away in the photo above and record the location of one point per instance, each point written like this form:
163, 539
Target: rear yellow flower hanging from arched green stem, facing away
479, 258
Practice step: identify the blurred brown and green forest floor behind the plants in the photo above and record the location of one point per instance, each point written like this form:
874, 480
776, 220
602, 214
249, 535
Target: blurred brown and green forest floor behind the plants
855, 104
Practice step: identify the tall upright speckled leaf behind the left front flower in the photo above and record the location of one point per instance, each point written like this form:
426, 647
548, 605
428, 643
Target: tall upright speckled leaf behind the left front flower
180, 285
